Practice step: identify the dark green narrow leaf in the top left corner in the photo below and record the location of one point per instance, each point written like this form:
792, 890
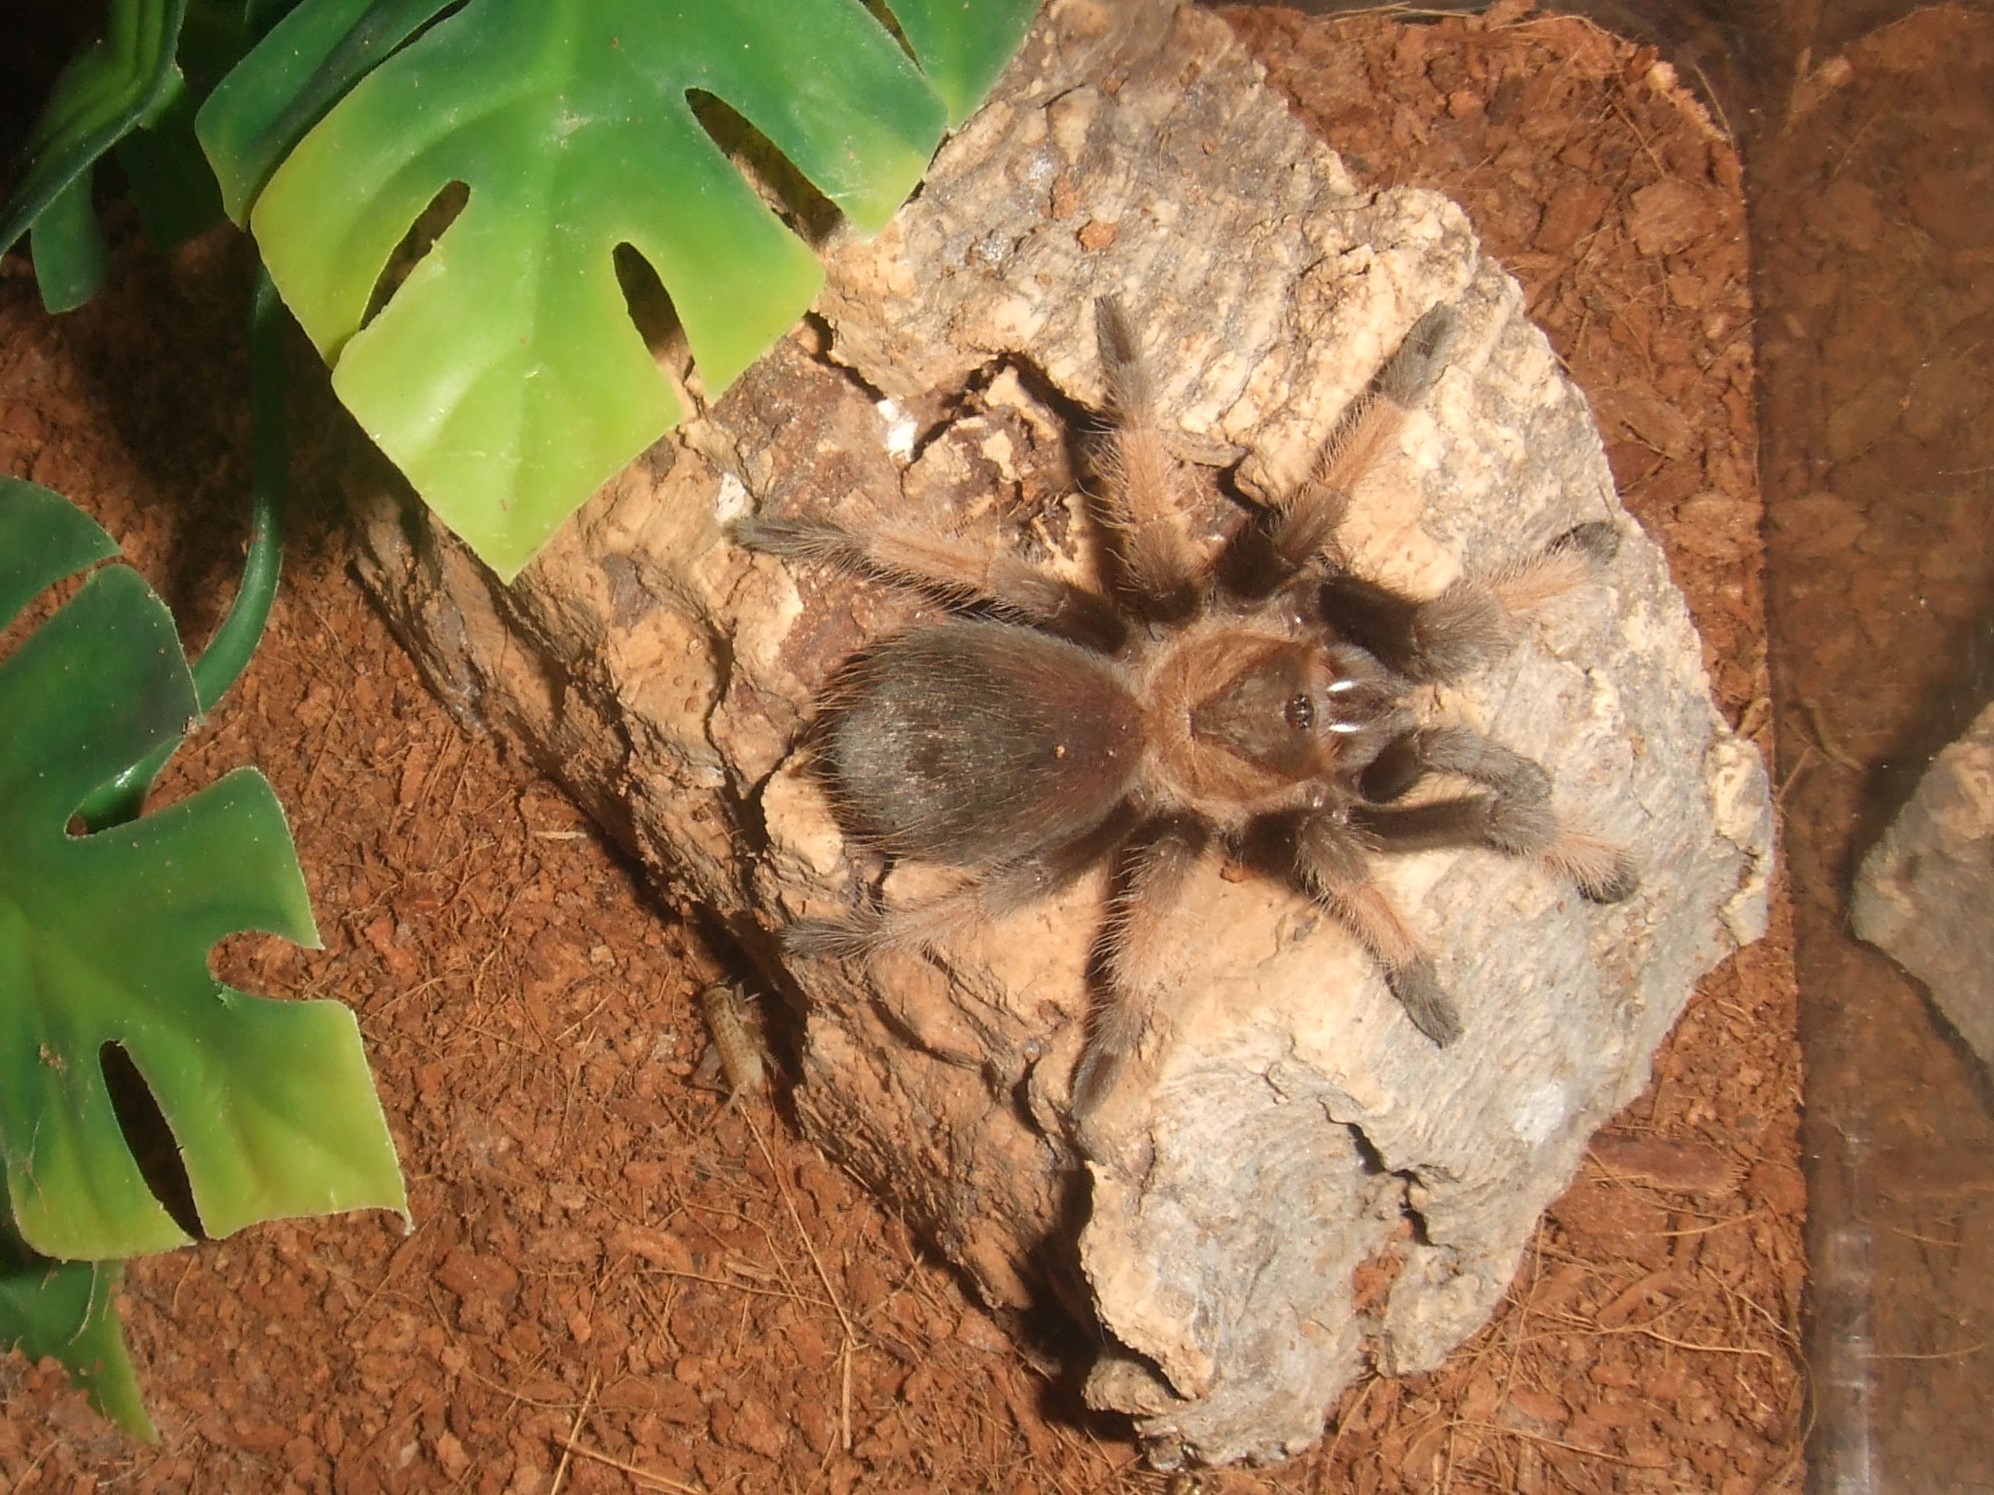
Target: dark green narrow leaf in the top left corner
101, 97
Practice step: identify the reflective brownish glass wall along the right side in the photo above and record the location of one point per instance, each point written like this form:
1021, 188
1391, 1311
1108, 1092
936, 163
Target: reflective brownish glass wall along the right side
1867, 131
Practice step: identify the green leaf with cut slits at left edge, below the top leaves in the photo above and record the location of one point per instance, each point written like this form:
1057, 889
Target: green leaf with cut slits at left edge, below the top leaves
105, 942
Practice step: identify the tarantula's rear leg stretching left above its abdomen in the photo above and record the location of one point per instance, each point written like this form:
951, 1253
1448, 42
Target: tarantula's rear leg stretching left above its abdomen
948, 571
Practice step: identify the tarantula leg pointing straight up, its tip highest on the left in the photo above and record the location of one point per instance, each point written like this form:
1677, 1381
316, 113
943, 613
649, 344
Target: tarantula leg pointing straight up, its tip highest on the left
1142, 499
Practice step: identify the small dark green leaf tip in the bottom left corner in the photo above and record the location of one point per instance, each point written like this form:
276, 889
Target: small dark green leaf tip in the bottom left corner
69, 1311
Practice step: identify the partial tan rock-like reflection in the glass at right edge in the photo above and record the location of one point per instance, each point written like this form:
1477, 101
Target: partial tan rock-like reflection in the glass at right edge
1927, 886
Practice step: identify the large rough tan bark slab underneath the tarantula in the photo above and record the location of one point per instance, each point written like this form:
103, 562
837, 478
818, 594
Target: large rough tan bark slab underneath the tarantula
1297, 1125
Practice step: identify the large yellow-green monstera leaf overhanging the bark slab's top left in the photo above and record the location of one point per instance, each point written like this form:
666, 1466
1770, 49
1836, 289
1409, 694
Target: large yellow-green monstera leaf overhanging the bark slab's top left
505, 376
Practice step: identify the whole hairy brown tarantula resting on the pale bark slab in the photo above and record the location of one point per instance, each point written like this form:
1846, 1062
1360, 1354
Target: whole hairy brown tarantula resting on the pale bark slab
1259, 701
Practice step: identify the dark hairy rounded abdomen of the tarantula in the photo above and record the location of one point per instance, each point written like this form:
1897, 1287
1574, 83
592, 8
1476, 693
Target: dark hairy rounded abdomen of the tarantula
980, 743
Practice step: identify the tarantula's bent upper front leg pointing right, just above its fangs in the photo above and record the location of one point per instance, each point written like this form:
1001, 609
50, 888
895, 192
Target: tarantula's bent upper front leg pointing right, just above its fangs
1475, 619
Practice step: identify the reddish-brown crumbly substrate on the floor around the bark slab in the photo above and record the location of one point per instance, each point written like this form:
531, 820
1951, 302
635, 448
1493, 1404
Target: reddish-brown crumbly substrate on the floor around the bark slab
617, 1281
